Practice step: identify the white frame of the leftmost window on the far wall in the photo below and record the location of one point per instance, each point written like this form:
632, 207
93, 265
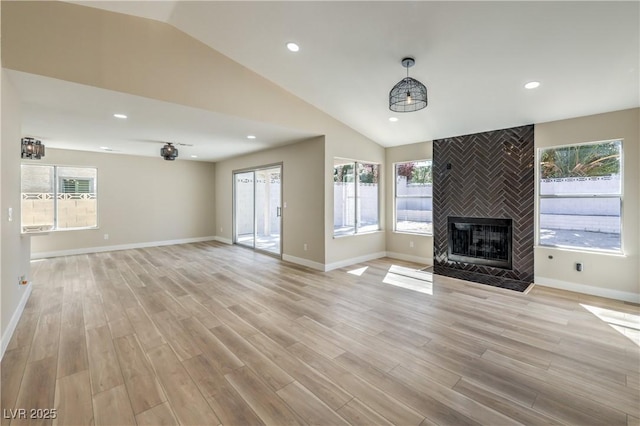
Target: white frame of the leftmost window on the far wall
57, 192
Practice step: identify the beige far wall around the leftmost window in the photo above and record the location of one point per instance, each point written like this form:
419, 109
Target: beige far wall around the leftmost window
141, 201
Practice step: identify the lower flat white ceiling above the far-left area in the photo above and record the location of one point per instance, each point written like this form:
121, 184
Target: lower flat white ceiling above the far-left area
74, 116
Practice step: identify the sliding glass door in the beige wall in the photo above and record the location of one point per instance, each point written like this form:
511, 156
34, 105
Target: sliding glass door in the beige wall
257, 208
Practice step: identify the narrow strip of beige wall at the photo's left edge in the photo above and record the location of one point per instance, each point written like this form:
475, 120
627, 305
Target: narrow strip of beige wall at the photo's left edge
14, 254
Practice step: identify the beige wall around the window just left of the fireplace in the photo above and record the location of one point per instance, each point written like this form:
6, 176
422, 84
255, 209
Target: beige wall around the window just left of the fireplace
398, 244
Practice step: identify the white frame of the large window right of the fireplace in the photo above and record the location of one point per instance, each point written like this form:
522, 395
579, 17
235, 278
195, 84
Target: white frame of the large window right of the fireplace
590, 196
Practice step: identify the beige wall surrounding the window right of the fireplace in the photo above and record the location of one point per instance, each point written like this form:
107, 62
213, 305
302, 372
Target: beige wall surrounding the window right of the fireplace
615, 276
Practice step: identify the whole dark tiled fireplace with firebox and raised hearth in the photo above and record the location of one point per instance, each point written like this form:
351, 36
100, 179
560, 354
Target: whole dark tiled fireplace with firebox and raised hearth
479, 181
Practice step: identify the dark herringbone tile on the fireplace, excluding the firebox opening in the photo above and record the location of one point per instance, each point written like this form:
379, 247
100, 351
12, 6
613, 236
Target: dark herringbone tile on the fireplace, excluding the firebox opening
486, 174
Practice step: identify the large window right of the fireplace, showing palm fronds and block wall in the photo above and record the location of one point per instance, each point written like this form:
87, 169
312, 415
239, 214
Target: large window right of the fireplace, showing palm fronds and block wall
581, 196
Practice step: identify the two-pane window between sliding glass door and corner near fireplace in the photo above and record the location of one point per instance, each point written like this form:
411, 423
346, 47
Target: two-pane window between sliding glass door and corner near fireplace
355, 197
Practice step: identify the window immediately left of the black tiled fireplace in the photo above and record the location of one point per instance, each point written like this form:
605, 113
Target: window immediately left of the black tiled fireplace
414, 197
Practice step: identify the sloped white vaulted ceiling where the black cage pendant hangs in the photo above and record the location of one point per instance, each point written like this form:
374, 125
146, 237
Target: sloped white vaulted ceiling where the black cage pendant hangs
474, 58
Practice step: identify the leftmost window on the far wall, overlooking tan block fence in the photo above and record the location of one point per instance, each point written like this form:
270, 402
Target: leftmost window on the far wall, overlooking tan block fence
58, 198
